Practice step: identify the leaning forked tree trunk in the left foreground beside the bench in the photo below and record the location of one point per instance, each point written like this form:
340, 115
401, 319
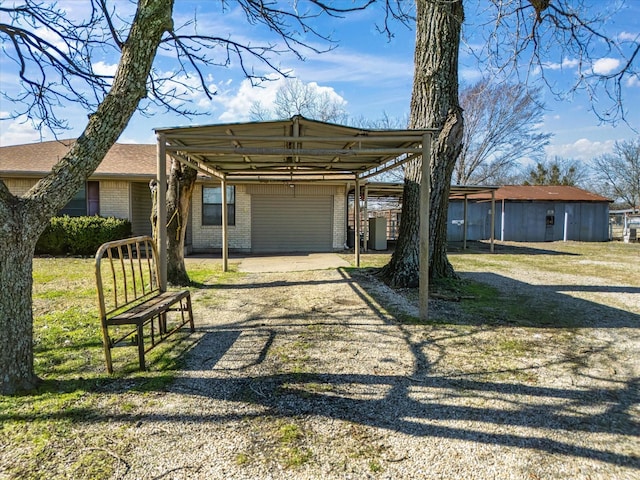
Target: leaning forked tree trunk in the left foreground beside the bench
23, 220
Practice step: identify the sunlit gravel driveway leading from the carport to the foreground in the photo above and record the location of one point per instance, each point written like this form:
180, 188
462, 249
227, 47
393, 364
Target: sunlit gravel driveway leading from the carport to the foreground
304, 376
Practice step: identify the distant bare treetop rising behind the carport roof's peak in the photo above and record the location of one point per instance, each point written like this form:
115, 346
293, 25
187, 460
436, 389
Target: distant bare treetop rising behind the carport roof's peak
295, 97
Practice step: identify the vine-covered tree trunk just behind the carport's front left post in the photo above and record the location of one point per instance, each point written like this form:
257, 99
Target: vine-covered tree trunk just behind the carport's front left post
182, 180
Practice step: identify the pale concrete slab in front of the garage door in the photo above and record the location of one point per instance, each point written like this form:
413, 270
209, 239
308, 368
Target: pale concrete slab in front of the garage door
290, 263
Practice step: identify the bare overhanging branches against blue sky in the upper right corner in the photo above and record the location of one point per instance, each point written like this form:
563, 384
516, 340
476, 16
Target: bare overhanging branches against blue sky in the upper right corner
529, 39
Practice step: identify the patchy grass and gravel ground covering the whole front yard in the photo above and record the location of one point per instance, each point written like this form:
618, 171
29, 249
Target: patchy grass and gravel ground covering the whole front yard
325, 374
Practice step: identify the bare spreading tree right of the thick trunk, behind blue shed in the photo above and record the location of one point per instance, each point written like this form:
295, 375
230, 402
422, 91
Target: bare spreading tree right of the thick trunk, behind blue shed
501, 127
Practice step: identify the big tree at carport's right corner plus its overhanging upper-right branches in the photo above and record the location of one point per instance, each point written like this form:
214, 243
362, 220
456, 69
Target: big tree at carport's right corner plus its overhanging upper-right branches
522, 37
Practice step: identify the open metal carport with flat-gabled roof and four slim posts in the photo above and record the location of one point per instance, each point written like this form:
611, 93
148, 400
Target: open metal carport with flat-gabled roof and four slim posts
293, 150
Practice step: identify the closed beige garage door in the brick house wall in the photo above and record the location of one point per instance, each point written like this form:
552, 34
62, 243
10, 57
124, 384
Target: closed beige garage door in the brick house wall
291, 224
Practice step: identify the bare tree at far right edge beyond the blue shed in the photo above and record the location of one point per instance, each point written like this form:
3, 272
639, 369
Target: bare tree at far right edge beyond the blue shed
618, 174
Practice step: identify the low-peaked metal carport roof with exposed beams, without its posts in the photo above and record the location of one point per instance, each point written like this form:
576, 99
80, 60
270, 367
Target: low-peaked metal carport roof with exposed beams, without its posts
288, 150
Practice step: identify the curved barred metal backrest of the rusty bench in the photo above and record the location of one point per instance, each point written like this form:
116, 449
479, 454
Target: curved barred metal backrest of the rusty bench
127, 273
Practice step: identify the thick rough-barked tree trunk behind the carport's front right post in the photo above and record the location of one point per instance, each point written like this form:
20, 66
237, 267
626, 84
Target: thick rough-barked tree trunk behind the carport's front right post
434, 104
